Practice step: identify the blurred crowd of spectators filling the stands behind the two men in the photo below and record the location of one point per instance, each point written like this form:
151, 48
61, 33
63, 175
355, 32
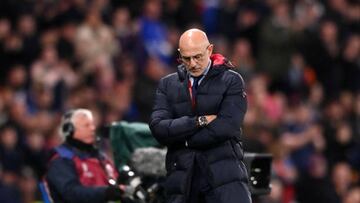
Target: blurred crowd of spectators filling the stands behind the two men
300, 60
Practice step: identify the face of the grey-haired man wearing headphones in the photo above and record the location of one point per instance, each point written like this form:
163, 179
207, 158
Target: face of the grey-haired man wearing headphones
84, 128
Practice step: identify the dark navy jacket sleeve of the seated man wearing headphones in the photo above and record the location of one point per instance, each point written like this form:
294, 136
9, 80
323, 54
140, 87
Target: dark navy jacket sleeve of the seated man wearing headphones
63, 180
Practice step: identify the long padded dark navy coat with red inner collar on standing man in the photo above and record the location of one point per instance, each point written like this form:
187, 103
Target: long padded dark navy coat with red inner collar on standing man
173, 123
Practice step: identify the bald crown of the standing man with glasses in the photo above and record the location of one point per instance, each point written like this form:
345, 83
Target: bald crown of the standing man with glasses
193, 38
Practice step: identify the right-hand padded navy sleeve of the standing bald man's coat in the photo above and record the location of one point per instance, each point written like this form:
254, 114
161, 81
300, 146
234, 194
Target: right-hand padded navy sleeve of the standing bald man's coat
227, 124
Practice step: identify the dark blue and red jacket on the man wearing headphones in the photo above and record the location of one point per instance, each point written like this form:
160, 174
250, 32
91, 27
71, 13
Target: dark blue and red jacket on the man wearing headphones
79, 175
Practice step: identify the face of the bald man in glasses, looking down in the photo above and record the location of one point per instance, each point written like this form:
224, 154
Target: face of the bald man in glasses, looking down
196, 58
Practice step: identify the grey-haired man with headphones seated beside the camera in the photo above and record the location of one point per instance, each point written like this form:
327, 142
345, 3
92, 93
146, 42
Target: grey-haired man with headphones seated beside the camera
77, 171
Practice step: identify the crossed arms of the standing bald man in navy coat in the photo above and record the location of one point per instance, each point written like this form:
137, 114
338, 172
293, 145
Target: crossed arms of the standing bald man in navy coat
221, 127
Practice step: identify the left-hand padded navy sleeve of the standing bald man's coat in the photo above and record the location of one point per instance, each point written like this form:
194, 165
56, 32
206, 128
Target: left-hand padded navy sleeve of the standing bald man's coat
166, 129
